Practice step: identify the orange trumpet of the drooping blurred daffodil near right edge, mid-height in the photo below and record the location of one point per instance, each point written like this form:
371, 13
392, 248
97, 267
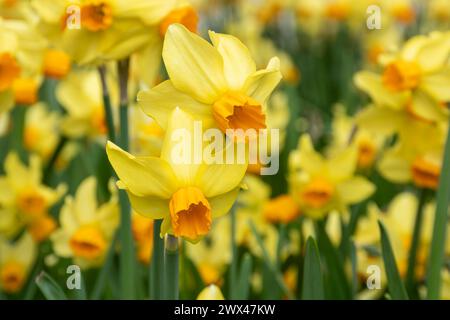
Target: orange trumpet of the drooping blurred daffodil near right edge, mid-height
425, 173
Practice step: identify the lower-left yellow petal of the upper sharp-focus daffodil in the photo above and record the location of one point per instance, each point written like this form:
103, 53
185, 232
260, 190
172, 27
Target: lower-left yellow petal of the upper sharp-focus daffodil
160, 101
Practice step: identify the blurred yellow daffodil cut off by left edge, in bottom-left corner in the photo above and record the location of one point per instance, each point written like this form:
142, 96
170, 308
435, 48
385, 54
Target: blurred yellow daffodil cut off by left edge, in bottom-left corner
16, 261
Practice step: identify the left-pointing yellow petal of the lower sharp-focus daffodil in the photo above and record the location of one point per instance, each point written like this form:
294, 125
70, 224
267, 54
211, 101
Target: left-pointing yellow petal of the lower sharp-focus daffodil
143, 176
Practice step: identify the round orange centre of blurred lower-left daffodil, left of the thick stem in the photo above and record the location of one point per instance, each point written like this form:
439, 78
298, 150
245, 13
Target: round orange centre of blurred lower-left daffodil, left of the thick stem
88, 242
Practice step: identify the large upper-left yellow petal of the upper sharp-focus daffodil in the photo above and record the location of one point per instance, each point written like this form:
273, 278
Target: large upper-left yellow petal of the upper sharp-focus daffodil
194, 66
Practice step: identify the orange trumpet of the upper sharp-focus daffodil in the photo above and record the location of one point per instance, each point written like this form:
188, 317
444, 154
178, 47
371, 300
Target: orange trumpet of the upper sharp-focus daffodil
235, 110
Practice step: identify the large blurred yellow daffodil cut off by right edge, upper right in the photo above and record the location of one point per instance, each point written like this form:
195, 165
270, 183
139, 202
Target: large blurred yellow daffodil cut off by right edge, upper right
415, 80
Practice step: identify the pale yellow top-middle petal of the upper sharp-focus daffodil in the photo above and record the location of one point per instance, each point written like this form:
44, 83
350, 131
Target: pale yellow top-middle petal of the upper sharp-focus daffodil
238, 63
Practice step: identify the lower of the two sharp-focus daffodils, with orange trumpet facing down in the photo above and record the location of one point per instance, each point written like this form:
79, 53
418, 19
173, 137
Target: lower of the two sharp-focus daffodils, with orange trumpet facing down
186, 195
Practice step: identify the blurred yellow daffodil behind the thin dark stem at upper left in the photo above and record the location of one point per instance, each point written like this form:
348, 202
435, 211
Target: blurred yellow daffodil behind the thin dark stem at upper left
80, 94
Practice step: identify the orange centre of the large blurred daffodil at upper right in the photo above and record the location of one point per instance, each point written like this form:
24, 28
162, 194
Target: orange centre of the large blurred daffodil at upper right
402, 75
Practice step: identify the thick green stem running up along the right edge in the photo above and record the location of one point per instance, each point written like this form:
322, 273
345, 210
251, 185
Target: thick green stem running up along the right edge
436, 257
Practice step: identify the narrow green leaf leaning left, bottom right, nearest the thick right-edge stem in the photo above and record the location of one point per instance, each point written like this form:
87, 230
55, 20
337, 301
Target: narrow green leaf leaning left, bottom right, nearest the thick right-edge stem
396, 288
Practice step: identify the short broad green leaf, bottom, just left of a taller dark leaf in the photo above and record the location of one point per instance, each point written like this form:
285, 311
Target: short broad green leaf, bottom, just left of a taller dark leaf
312, 273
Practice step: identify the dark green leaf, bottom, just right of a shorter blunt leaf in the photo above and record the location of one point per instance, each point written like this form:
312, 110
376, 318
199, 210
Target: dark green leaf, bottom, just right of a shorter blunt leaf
336, 282
